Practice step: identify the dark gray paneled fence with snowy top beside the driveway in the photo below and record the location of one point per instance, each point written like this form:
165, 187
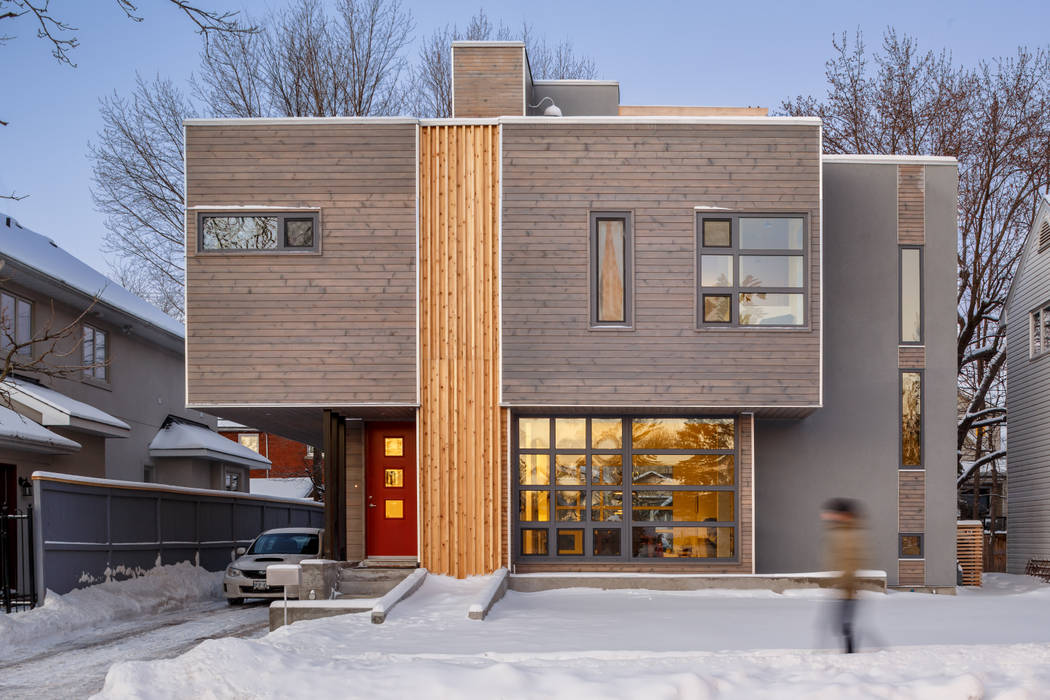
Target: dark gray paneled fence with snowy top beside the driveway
91, 531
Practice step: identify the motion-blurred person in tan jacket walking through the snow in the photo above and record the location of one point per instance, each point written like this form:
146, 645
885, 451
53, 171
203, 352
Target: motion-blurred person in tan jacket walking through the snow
846, 556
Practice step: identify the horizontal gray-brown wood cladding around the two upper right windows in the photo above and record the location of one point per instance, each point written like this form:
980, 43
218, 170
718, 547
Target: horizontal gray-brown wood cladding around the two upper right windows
555, 176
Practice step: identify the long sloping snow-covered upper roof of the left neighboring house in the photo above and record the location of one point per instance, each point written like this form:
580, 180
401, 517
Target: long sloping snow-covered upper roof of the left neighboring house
34, 250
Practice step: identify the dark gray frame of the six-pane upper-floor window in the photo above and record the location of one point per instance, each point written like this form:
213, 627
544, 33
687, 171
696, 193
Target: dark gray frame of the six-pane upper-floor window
715, 299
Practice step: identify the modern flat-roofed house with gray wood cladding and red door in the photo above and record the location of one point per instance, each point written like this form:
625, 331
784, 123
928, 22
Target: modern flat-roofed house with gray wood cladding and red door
625, 338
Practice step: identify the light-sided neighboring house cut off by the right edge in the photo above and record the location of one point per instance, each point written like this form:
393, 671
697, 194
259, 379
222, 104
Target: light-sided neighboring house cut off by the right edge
1028, 398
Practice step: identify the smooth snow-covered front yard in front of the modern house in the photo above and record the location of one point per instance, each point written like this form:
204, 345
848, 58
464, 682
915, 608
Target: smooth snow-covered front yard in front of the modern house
993, 643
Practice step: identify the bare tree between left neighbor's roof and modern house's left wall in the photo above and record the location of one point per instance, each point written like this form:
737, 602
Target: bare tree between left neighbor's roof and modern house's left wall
138, 176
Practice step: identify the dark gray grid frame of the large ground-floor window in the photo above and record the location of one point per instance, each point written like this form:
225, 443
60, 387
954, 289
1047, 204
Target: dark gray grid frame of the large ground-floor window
627, 489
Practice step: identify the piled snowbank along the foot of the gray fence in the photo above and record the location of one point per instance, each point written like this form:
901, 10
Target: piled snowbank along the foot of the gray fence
158, 590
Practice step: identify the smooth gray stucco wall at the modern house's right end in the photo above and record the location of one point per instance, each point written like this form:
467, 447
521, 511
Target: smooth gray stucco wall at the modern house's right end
851, 447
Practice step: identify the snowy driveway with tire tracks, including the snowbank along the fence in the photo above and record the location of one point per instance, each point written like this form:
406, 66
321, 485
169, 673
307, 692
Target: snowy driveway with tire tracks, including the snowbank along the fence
65, 648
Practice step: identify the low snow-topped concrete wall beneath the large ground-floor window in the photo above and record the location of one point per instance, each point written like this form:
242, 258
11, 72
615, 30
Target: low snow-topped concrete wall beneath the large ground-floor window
873, 581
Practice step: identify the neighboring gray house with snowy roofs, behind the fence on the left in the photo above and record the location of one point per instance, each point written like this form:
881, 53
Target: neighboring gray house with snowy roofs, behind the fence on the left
122, 414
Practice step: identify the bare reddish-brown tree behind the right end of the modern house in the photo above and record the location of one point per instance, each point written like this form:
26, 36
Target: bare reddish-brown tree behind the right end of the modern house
995, 118
